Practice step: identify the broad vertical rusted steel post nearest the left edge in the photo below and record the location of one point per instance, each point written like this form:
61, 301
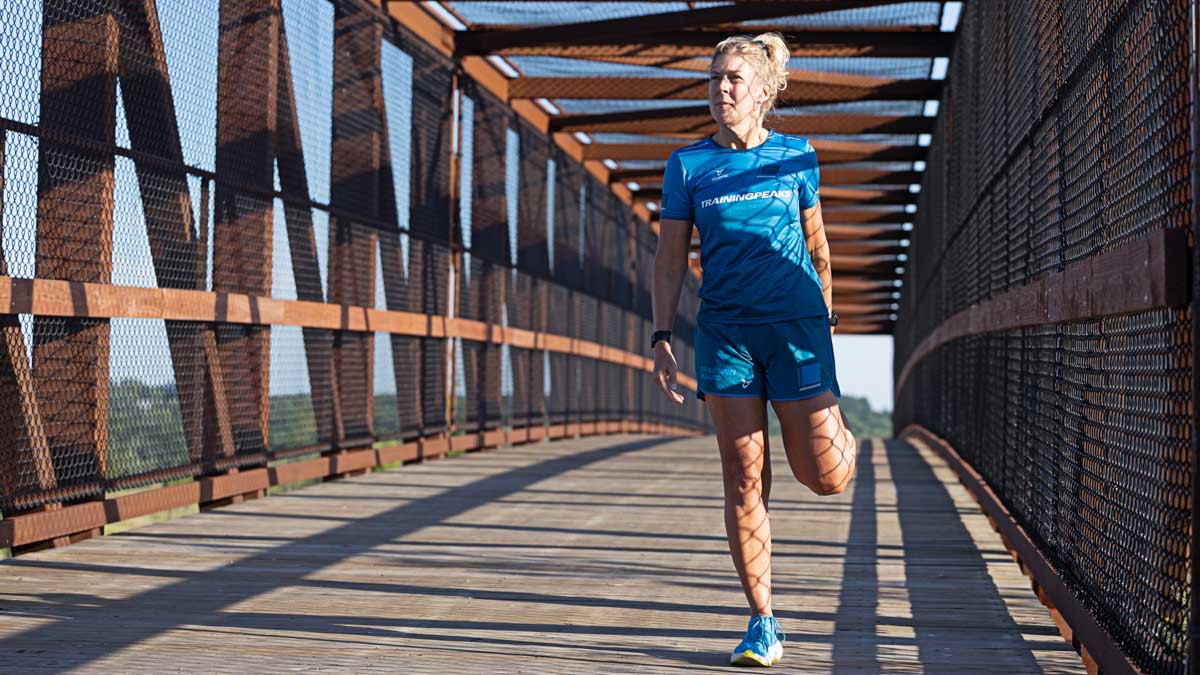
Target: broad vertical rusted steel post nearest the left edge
75, 231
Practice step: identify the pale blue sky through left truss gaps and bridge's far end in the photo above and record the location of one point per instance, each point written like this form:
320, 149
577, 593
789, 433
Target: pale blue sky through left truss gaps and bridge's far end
190, 37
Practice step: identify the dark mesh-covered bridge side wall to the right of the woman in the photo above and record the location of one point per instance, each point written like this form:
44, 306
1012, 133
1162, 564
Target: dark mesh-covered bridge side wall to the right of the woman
1046, 328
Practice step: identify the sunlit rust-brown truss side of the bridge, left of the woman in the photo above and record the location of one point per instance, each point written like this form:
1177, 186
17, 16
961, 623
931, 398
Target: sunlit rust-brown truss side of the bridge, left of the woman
241, 232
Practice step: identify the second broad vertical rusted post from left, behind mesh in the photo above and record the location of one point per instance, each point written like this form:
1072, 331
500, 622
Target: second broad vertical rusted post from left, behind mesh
243, 234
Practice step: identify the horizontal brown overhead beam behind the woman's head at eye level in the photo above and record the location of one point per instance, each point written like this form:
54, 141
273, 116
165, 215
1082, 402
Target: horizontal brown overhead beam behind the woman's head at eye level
687, 88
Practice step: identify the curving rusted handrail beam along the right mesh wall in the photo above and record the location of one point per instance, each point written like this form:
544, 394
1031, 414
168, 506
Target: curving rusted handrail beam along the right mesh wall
1145, 274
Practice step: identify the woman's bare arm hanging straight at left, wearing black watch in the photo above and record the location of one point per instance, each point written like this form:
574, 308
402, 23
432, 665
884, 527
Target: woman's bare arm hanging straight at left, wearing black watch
670, 267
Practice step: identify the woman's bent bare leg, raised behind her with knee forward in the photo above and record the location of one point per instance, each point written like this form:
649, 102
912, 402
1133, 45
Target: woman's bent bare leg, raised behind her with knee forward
820, 447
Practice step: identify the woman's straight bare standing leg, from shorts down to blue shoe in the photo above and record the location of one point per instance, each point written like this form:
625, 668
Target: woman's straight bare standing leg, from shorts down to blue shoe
741, 435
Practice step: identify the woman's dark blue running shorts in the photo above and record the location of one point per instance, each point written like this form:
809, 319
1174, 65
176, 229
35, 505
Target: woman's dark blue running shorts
790, 361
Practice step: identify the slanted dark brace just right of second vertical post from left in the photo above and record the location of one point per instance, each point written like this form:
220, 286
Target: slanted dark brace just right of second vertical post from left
303, 246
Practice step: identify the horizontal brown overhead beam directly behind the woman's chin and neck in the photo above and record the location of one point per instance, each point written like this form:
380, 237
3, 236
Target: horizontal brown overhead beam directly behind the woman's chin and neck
695, 122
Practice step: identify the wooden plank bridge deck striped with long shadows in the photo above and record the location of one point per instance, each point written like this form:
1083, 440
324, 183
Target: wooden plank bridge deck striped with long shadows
599, 555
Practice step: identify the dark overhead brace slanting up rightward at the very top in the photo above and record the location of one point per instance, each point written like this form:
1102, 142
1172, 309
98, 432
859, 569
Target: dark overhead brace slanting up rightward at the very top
487, 41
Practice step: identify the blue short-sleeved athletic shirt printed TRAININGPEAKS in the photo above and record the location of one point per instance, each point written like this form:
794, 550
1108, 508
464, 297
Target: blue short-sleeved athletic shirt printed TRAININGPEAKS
748, 208
